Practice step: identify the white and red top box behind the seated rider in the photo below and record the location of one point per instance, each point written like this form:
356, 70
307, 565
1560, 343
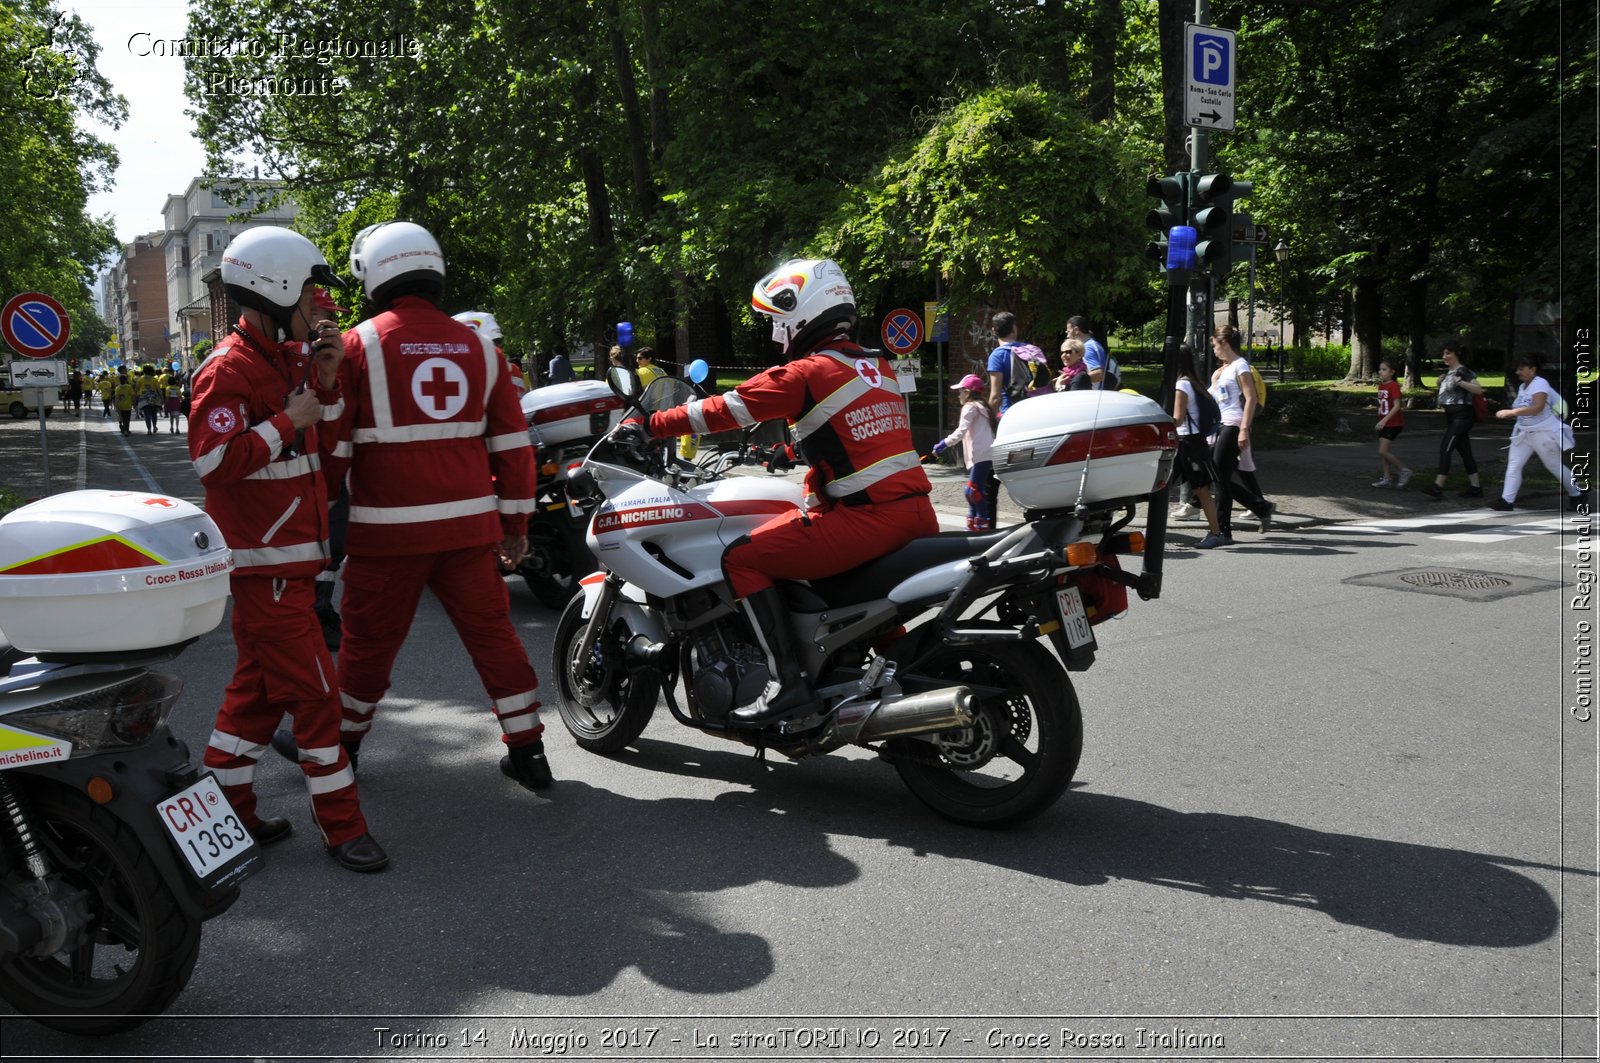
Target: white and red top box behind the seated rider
1058, 451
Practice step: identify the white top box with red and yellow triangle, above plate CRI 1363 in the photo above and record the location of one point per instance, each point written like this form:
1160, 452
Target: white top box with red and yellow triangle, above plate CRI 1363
102, 572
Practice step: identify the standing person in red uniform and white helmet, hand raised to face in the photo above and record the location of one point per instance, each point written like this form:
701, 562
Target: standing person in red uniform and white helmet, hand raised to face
255, 439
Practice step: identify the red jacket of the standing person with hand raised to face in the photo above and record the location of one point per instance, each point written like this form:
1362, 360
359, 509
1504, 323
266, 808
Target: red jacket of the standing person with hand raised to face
266, 492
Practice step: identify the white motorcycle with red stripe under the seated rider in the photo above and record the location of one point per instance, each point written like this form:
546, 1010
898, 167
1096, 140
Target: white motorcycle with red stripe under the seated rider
934, 657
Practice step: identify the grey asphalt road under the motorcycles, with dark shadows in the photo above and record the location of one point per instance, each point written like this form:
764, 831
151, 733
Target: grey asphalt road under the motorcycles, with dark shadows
1321, 814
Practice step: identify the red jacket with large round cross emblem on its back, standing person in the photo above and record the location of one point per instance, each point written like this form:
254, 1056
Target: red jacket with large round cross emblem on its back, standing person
436, 443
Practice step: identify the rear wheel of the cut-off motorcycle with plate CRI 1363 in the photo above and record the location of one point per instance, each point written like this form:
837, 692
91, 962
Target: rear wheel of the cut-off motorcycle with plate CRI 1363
138, 950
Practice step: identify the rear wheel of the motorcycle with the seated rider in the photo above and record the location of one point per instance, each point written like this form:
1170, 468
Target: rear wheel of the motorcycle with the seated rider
1022, 750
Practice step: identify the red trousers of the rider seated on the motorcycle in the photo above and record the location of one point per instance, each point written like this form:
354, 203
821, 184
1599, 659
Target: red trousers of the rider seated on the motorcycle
826, 542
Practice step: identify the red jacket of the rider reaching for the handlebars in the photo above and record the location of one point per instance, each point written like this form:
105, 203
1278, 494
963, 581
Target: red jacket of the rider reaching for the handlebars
849, 422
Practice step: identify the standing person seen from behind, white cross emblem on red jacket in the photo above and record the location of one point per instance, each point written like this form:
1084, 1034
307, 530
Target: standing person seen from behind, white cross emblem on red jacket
442, 483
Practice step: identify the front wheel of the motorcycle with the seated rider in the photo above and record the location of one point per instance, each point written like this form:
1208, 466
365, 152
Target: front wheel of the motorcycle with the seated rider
612, 707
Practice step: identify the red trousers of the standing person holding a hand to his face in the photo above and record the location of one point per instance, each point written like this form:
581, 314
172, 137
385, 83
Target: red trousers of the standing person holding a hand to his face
284, 670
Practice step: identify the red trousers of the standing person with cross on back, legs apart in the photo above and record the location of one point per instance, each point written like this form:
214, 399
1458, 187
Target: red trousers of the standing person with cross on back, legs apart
380, 603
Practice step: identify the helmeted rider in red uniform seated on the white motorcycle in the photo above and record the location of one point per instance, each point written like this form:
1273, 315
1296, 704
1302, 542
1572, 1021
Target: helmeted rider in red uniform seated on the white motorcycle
866, 491
